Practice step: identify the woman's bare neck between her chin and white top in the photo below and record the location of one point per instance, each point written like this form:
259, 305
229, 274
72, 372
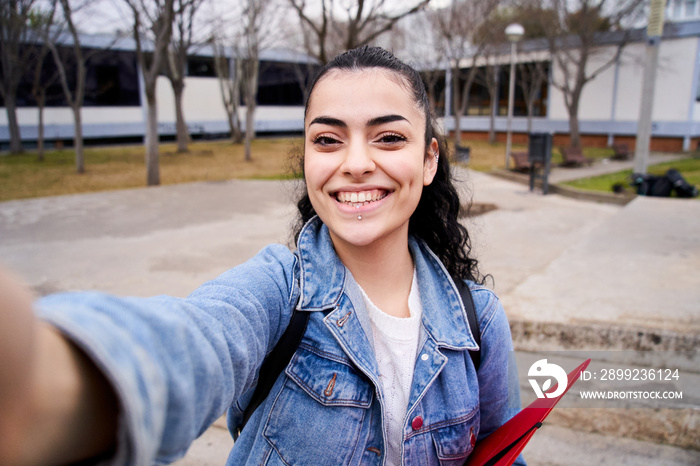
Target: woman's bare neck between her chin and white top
384, 270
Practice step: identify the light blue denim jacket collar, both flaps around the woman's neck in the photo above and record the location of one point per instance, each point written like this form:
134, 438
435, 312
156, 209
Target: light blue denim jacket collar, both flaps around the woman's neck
322, 284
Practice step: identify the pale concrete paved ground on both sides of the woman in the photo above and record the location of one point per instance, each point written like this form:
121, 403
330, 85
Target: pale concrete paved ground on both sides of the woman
553, 260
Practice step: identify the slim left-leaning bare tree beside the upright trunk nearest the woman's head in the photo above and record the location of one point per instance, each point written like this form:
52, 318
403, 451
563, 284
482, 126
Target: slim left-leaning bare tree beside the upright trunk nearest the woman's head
228, 72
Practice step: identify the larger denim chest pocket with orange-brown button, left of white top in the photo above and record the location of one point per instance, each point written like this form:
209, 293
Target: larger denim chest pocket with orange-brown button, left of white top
317, 416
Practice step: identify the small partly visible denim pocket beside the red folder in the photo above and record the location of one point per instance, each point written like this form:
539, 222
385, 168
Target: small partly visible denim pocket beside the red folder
455, 441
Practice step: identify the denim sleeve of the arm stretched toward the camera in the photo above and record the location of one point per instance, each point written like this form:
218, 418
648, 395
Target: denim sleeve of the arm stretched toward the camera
177, 364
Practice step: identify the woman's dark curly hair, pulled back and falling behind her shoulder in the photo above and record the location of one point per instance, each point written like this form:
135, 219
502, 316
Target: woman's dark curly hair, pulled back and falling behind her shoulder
435, 220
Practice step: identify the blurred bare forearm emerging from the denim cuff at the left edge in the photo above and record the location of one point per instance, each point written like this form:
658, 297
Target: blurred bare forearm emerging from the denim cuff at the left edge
56, 405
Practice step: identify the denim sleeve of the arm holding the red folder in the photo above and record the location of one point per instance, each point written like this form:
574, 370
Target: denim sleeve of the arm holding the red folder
499, 391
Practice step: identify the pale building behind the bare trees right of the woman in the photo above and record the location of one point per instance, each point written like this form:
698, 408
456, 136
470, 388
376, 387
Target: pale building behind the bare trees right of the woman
610, 103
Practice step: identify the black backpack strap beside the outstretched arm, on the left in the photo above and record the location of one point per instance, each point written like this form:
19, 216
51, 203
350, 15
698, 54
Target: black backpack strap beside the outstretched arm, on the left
276, 361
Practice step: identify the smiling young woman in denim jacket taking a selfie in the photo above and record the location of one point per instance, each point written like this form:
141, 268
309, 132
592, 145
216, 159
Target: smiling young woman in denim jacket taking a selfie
383, 373
